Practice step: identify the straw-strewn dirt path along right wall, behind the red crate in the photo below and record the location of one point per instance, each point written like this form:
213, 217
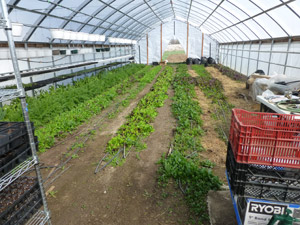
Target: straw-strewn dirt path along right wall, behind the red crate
233, 90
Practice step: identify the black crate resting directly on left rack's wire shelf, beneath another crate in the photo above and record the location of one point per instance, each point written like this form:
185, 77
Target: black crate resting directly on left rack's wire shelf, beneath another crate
15, 158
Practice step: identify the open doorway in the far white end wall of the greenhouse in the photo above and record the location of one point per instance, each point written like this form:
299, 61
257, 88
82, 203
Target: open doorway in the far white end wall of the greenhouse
174, 52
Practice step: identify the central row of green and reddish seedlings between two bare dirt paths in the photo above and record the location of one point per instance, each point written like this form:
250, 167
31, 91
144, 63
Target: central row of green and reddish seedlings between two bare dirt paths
138, 124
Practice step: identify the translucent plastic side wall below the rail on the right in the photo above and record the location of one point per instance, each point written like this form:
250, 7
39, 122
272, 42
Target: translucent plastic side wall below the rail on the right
247, 58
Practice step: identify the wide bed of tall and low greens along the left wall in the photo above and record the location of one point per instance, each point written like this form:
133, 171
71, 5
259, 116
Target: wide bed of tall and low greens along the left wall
58, 112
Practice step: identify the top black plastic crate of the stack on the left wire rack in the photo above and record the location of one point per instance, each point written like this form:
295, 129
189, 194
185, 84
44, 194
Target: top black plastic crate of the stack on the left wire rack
12, 135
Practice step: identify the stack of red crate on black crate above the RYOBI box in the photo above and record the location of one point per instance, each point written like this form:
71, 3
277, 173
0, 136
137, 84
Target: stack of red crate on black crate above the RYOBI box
263, 158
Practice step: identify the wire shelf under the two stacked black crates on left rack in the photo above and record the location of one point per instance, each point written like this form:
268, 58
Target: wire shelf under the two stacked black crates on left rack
11, 176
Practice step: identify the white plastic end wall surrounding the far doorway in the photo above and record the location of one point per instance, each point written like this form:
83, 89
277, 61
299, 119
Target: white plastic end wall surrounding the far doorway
169, 33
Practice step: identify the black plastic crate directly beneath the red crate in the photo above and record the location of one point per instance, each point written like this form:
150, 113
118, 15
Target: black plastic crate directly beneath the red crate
265, 183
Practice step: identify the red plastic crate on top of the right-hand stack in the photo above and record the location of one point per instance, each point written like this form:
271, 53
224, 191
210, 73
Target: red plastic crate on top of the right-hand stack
265, 138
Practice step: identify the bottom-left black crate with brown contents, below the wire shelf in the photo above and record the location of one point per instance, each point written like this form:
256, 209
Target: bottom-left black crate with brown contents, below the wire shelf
20, 201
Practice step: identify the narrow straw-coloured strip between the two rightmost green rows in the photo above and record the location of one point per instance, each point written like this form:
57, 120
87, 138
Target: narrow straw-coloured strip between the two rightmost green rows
216, 149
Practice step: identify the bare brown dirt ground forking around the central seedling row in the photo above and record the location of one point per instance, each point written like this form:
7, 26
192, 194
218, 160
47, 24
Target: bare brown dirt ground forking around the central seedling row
123, 195
